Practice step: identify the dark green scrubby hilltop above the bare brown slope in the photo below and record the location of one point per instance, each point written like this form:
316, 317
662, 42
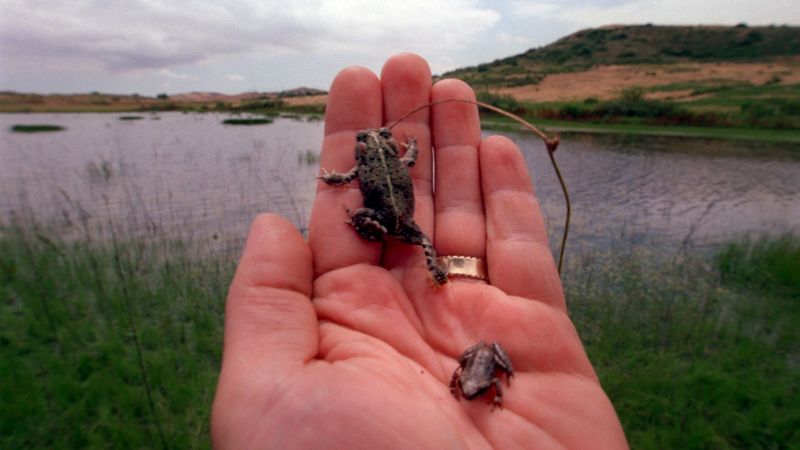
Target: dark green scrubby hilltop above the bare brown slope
637, 44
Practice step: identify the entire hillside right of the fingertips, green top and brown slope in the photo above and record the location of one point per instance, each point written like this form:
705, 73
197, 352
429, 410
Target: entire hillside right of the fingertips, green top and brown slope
706, 76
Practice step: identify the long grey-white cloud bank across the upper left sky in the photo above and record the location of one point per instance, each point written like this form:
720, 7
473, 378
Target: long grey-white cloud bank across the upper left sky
136, 35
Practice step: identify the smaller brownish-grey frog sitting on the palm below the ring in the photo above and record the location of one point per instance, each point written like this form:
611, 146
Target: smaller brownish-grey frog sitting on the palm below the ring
477, 372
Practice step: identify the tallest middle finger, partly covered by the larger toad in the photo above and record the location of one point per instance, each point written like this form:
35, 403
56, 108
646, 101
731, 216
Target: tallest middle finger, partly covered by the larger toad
406, 84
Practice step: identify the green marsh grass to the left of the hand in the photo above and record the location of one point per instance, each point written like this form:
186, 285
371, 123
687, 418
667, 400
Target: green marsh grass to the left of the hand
112, 346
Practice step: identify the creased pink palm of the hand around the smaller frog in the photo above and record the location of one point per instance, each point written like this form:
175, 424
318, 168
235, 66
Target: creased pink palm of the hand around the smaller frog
392, 363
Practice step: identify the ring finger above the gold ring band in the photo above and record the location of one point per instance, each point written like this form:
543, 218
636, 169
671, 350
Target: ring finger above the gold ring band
460, 222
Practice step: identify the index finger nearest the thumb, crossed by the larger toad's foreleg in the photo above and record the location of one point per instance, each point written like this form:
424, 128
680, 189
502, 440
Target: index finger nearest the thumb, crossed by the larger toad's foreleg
354, 103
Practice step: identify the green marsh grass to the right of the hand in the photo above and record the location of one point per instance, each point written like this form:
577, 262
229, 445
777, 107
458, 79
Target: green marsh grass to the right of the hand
698, 353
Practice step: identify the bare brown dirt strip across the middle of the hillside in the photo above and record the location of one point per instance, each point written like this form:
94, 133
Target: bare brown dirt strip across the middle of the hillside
607, 82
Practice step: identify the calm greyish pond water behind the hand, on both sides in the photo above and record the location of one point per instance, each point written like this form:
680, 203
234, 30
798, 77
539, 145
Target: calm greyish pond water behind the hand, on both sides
188, 176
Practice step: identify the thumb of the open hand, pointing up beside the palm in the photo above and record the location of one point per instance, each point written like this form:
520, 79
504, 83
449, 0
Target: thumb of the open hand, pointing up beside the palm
269, 319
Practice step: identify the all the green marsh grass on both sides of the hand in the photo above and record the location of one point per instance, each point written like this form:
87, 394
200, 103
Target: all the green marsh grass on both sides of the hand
118, 344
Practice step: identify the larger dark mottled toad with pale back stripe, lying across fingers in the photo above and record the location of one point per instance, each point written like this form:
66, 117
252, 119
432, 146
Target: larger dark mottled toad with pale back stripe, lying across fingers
388, 193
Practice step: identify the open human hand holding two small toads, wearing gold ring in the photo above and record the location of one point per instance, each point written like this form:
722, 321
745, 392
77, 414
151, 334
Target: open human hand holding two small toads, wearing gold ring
342, 343
